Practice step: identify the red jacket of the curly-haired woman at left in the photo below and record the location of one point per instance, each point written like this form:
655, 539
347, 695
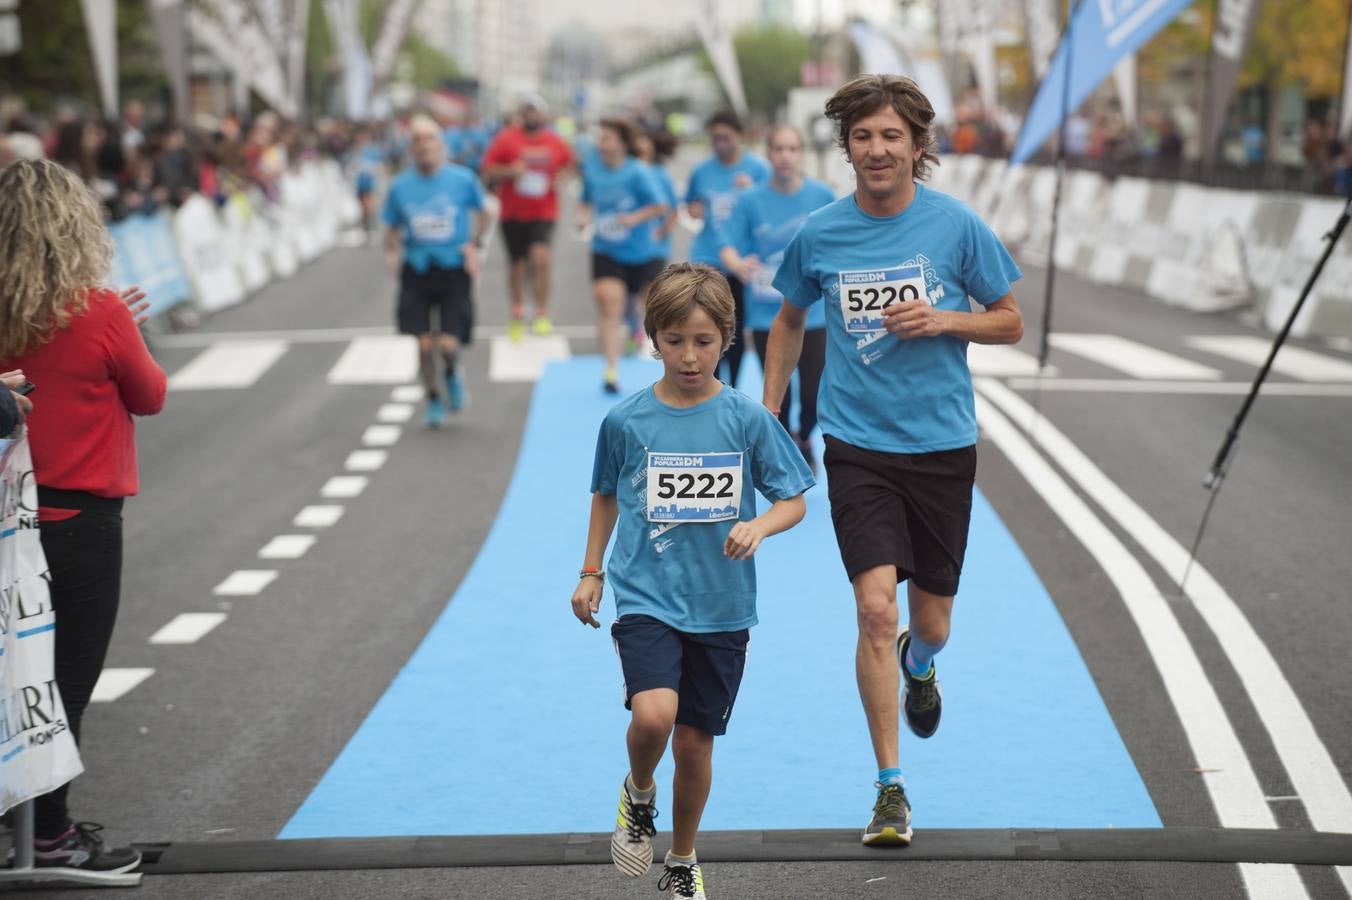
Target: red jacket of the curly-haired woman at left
93, 376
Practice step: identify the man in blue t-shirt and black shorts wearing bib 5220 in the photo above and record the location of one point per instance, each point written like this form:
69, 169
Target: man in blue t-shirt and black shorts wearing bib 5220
896, 264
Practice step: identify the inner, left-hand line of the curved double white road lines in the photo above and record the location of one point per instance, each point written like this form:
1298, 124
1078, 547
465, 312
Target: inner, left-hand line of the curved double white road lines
1230, 778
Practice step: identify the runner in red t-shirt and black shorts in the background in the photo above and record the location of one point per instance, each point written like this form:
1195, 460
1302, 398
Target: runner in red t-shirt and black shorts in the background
527, 163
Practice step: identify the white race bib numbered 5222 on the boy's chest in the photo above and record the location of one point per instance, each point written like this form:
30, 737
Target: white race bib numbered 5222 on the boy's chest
694, 487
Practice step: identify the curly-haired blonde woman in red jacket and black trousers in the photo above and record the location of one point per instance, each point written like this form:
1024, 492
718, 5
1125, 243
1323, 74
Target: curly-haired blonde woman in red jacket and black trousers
78, 343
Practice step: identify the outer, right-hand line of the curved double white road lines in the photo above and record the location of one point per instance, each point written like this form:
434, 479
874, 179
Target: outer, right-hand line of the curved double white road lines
1299, 747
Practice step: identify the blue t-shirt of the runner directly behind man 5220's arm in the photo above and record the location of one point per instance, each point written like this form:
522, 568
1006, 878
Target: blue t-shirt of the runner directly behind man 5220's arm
763, 224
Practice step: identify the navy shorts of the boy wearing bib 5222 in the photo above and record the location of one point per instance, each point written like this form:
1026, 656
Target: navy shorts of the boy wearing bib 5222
704, 670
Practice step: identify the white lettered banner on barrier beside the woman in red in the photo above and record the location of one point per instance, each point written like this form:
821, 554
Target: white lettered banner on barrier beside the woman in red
37, 751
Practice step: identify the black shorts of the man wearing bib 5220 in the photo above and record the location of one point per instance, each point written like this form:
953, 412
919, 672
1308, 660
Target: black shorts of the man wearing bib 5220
905, 510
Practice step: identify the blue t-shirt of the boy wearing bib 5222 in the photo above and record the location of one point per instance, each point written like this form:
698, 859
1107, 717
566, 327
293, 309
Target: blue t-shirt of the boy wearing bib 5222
674, 568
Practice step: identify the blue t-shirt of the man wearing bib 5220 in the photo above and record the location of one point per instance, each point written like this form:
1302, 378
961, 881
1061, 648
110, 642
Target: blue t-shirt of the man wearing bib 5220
878, 391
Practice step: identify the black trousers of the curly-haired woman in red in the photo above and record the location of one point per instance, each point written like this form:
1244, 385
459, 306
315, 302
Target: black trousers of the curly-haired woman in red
84, 556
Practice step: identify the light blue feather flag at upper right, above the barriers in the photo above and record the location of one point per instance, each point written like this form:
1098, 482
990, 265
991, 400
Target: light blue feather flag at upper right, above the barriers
1101, 33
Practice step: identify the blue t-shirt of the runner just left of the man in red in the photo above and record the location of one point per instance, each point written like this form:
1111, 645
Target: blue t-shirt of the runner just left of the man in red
433, 214
